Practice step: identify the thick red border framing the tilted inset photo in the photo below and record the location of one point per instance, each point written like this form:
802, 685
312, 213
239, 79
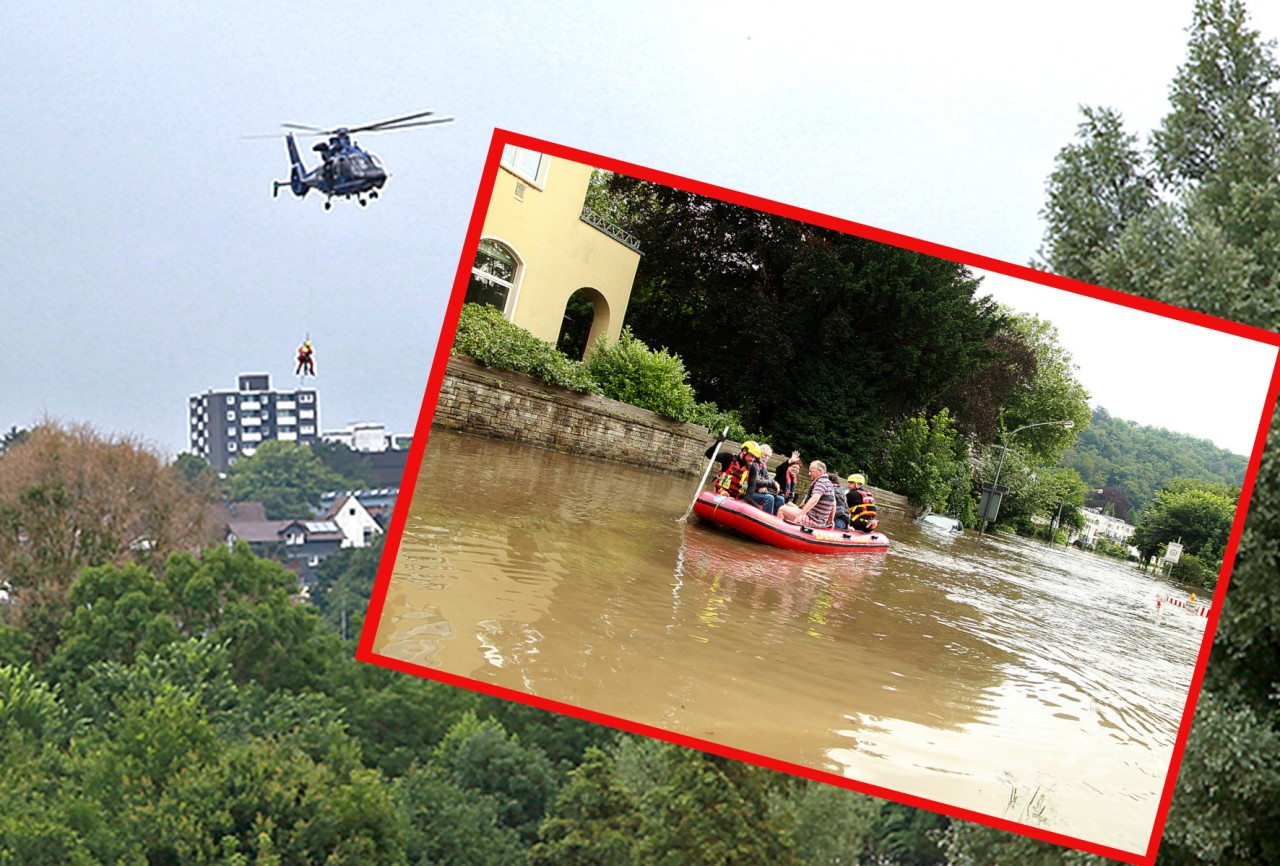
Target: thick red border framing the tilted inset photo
395, 533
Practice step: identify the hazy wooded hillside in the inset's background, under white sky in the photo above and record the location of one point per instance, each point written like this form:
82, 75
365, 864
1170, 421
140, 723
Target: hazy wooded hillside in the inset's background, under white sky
1126, 464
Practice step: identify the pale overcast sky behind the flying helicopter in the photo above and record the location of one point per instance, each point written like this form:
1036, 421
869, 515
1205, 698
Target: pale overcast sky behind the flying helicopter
144, 259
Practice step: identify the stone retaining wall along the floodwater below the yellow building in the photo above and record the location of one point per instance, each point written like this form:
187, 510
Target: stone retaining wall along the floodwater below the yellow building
505, 405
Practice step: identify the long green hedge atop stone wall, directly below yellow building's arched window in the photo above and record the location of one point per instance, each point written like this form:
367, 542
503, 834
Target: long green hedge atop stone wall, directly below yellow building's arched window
491, 340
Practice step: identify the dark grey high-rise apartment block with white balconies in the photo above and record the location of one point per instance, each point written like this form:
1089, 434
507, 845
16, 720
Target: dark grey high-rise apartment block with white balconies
225, 425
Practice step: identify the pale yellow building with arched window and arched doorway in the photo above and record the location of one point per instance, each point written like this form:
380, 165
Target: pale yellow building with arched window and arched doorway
540, 246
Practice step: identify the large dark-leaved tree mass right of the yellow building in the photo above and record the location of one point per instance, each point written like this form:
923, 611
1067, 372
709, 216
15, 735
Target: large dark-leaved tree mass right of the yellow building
819, 338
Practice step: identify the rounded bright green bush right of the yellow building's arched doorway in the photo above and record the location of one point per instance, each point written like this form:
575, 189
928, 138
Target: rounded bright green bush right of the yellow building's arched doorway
633, 373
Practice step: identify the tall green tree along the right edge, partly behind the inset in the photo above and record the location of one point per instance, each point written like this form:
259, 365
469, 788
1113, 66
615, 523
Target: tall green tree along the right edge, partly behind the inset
1213, 244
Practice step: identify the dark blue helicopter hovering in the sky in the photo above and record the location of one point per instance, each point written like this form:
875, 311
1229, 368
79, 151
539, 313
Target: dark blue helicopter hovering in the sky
345, 171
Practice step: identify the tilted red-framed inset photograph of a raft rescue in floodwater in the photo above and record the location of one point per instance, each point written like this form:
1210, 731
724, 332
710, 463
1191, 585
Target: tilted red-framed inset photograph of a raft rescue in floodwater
824, 498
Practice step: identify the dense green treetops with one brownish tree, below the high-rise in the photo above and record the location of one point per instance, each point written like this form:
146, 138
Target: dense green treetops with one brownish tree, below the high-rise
167, 700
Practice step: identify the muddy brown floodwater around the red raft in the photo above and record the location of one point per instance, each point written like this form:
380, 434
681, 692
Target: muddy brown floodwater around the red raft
996, 675
